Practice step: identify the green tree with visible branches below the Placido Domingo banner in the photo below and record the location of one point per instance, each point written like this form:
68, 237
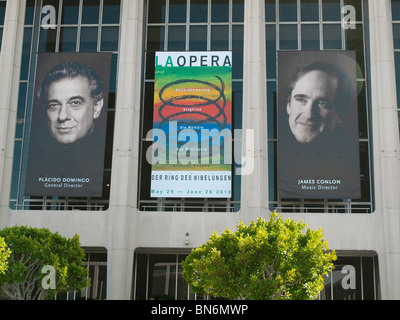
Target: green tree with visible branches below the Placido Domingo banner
31, 250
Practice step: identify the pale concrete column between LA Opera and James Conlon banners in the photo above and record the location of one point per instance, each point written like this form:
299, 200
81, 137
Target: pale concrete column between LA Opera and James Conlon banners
254, 200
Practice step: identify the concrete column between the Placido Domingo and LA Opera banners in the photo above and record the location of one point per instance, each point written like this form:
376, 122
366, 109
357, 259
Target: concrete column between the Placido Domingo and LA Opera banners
126, 152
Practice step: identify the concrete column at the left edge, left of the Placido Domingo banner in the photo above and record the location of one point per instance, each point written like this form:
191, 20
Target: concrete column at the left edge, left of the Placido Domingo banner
10, 66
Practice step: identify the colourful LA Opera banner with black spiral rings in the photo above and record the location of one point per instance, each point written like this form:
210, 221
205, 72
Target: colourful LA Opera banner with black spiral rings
191, 154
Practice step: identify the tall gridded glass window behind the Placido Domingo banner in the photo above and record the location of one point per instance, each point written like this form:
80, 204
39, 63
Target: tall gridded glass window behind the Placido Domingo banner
79, 29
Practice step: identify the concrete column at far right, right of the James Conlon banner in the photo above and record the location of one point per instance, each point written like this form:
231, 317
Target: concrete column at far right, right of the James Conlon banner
385, 144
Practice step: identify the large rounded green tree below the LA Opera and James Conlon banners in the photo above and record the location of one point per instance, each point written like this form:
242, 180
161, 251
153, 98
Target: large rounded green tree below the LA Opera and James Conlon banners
271, 259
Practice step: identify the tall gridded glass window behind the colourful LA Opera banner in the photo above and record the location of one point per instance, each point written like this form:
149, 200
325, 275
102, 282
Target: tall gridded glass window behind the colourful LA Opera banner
197, 25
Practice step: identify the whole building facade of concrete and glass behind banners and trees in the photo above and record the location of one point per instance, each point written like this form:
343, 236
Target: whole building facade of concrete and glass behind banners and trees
134, 241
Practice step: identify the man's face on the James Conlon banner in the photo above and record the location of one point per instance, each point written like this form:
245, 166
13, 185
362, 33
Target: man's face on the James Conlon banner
311, 109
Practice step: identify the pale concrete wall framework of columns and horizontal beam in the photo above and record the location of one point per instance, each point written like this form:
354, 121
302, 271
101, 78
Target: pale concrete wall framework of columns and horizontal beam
121, 229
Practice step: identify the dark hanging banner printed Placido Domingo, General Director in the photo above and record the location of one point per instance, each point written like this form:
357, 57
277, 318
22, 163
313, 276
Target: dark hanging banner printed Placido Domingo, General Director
69, 117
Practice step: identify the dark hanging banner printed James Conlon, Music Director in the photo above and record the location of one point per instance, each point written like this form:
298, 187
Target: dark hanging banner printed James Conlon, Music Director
318, 150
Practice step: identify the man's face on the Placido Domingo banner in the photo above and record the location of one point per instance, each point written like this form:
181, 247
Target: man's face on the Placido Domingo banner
71, 110
